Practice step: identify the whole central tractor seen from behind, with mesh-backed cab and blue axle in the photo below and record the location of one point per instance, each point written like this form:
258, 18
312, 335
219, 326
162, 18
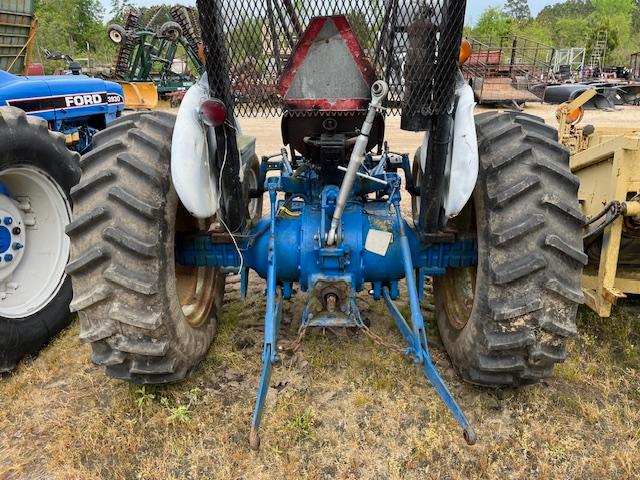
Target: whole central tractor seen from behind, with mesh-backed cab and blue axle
172, 204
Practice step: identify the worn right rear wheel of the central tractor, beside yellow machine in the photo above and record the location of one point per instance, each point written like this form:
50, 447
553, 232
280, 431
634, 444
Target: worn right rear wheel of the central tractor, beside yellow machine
507, 321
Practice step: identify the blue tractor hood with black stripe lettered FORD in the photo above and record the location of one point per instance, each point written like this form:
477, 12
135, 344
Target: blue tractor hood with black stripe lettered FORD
61, 97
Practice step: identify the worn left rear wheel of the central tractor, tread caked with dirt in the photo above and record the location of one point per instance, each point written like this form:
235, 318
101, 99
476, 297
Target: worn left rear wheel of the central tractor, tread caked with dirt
149, 321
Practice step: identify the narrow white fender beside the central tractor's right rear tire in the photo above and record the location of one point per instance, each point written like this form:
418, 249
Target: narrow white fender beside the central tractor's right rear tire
465, 160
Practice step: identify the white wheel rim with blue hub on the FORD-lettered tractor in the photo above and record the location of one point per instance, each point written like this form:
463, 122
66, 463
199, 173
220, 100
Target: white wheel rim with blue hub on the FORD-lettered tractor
41, 211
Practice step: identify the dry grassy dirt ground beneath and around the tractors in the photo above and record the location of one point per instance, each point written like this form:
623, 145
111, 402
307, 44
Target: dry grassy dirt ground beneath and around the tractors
343, 407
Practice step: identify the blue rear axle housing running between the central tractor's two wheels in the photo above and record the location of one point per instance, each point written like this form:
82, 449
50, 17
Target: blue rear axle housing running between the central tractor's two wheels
299, 245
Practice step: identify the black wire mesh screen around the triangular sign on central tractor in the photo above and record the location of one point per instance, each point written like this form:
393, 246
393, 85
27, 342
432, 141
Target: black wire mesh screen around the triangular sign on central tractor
412, 44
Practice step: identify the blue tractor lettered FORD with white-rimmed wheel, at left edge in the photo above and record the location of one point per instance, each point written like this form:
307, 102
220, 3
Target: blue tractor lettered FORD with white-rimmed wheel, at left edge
46, 123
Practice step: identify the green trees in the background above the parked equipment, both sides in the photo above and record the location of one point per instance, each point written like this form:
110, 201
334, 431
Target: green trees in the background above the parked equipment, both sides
78, 27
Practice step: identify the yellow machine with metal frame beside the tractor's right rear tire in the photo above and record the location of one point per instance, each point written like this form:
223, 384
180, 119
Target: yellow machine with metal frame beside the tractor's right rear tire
607, 161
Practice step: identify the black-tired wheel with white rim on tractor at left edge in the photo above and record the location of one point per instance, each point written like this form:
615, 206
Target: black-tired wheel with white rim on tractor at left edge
37, 172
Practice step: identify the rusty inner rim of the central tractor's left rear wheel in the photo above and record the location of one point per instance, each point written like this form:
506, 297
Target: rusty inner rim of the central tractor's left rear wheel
195, 285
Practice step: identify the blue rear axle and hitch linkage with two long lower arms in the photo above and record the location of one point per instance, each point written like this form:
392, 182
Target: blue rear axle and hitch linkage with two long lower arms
376, 245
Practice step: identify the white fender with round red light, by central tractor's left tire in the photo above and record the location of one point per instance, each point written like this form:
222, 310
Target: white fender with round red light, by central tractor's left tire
191, 172
